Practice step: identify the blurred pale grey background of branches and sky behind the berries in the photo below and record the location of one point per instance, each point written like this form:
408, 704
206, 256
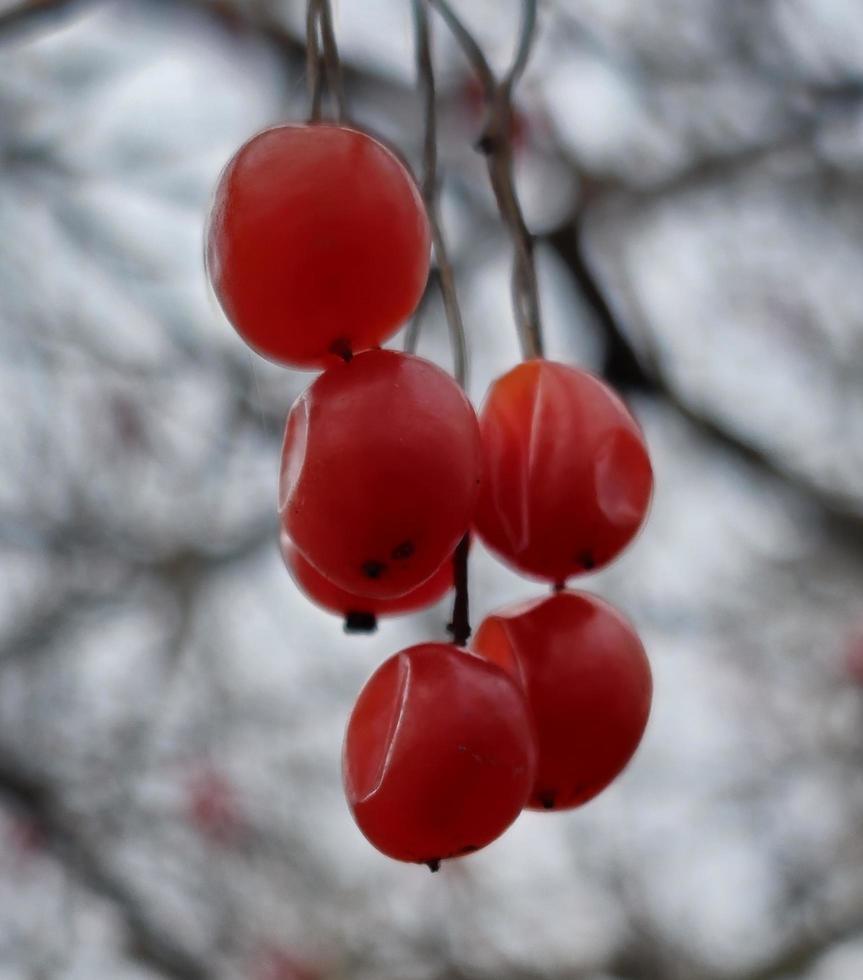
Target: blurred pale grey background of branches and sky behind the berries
171, 709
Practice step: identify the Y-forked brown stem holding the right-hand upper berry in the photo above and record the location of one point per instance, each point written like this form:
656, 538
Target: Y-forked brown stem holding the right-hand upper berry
496, 143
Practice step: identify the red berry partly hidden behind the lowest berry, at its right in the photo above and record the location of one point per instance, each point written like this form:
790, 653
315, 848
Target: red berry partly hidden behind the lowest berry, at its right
588, 684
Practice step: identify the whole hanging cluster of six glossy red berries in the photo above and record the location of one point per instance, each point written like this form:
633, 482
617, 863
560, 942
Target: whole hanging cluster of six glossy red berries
318, 249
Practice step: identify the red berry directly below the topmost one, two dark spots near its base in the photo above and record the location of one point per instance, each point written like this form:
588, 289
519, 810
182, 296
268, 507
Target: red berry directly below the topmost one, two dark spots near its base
380, 471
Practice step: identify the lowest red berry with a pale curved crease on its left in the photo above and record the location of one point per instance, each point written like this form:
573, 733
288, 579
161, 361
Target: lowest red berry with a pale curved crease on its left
439, 754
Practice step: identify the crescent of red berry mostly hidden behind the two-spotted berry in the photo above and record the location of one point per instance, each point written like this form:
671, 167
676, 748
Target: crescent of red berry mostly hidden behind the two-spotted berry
330, 597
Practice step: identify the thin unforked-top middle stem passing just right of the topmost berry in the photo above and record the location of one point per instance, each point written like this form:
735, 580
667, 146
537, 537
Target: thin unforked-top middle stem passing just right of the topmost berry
430, 189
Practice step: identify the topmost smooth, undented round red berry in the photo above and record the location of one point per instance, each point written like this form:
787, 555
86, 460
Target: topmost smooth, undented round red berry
318, 243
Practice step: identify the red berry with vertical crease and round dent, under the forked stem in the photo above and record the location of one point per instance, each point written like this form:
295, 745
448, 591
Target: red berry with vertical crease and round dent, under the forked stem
567, 475
